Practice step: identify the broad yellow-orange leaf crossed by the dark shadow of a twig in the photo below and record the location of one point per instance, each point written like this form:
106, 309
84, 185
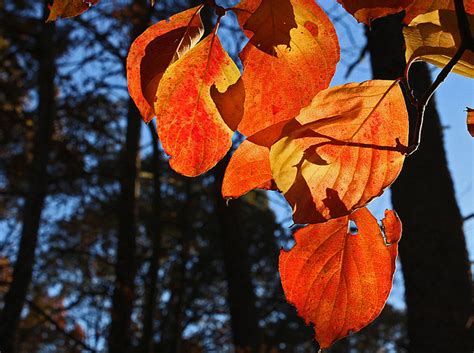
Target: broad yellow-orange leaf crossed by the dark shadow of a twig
341, 151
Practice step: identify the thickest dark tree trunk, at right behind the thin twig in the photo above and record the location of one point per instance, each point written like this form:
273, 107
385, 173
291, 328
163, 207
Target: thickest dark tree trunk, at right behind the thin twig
433, 250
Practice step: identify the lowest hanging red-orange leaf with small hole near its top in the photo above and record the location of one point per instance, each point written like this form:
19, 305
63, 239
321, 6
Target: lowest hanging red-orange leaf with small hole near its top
339, 278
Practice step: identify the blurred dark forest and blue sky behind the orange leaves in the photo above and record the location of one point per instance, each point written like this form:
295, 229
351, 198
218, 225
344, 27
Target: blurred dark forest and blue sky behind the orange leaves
201, 275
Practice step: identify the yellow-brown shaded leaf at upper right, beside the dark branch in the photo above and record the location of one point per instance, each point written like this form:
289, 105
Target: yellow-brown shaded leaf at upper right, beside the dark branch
434, 37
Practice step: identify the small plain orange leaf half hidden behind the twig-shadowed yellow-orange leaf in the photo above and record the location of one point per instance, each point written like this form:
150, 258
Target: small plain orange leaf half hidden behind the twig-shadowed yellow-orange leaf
248, 169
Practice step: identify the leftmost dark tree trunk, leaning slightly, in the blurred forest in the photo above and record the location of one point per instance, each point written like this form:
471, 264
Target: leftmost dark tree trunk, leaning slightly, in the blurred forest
37, 189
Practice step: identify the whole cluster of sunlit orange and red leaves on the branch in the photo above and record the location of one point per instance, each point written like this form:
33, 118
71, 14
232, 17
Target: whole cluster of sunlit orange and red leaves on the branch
330, 151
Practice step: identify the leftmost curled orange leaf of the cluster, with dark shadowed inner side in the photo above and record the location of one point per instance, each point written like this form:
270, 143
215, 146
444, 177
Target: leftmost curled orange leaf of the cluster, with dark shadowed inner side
154, 50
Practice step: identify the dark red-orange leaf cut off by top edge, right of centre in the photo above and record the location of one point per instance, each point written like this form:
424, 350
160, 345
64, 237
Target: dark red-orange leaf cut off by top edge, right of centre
367, 10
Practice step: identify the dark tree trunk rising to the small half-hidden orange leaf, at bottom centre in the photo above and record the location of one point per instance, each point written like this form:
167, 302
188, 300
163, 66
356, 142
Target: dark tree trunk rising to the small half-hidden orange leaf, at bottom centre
241, 295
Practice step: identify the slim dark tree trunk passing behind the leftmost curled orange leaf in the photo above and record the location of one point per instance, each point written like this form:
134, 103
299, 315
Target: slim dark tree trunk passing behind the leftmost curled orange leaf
125, 267
